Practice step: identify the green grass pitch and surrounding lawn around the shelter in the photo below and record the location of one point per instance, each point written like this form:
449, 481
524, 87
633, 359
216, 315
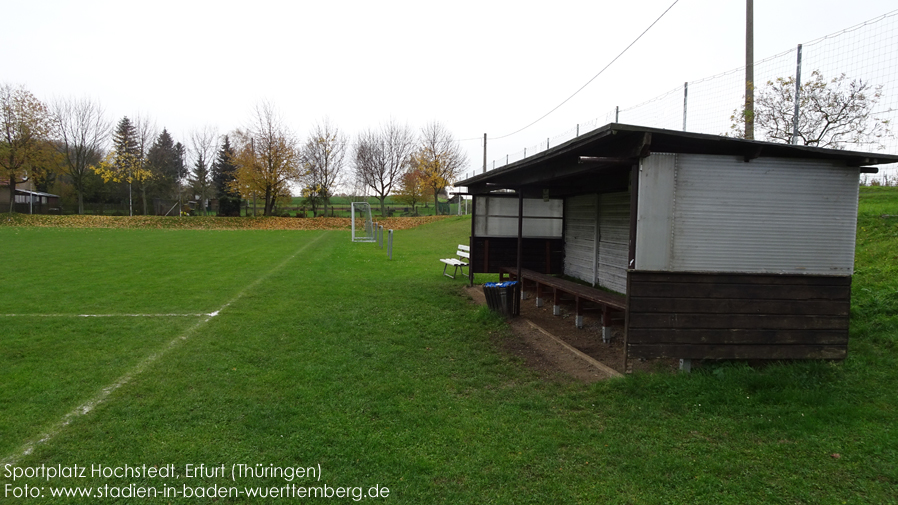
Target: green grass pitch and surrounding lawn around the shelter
299, 349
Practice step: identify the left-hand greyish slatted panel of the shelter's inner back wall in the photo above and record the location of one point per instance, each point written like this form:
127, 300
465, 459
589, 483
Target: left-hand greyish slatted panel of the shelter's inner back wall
580, 236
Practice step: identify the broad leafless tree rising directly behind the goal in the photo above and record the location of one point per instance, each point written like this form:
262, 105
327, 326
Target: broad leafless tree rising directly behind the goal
381, 157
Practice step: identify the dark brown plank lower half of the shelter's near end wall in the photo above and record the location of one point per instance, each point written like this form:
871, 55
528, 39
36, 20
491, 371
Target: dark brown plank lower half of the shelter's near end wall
737, 316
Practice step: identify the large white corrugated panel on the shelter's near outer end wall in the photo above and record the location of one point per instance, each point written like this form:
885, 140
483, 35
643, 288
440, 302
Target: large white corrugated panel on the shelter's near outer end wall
768, 215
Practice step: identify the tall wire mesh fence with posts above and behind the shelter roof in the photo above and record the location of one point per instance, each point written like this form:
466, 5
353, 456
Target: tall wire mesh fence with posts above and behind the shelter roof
867, 52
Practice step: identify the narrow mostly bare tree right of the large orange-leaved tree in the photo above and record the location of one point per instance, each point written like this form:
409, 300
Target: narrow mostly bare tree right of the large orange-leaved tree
323, 159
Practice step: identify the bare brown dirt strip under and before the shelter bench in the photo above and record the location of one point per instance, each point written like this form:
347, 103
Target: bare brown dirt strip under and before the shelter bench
542, 353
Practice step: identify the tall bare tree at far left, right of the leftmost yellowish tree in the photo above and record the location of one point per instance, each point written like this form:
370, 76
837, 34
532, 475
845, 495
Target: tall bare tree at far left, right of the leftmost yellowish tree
82, 131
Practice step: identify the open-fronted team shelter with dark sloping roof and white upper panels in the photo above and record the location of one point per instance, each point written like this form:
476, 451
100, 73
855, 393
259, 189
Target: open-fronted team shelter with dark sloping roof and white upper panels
724, 248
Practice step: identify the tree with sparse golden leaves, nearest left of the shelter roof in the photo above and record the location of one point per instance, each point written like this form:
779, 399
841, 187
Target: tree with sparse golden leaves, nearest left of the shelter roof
439, 158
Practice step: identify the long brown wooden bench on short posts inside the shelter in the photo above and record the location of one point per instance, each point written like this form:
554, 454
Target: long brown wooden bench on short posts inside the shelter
609, 302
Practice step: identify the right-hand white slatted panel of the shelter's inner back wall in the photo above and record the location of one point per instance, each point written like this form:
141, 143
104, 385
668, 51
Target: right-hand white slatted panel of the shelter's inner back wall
614, 239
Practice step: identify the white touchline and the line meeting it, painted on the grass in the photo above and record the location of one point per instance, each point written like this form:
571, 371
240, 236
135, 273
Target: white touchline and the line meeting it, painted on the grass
104, 393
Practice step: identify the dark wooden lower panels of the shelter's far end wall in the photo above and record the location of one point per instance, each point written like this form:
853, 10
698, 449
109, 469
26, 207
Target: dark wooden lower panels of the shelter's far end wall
489, 254
